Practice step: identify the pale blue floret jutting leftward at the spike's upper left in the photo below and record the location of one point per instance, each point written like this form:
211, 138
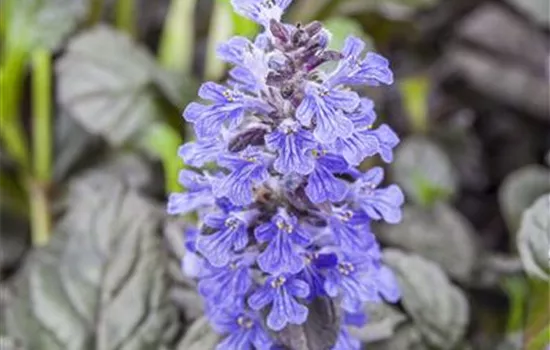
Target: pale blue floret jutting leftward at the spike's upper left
228, 106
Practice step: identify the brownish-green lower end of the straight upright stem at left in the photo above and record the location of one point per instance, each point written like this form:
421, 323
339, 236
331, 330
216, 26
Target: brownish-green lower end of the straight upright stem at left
40, 214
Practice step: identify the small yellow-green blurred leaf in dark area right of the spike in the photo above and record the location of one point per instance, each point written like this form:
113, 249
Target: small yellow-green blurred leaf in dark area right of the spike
415, 92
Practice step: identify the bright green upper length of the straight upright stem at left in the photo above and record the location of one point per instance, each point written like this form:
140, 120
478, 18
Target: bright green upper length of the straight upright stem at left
42, 115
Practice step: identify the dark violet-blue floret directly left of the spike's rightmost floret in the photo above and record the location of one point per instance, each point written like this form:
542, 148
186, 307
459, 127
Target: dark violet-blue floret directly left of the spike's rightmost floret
322, 184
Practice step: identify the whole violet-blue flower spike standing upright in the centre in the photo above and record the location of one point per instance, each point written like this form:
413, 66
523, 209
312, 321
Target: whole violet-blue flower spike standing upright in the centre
284, 213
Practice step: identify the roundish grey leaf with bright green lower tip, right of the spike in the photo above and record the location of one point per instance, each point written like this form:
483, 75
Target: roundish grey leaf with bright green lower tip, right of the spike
424, 171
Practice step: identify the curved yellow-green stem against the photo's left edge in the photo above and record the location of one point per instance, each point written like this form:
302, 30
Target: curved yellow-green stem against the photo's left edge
12, 132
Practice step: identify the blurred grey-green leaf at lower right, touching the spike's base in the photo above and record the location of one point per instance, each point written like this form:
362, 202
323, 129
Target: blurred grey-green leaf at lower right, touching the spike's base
439, 309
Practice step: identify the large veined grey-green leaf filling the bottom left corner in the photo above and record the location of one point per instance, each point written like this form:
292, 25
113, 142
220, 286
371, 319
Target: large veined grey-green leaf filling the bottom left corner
100, 283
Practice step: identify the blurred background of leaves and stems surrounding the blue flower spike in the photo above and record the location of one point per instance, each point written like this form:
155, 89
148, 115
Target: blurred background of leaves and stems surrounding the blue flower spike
91, 99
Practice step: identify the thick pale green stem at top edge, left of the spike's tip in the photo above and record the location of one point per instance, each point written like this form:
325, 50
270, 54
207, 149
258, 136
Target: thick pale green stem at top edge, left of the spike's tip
177, 39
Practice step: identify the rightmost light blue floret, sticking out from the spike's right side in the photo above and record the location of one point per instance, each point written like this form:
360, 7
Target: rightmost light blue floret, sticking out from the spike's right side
378, 203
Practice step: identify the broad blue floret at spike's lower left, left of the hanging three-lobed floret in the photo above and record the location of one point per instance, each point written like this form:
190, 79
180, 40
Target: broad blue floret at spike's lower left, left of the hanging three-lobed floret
236, 279
